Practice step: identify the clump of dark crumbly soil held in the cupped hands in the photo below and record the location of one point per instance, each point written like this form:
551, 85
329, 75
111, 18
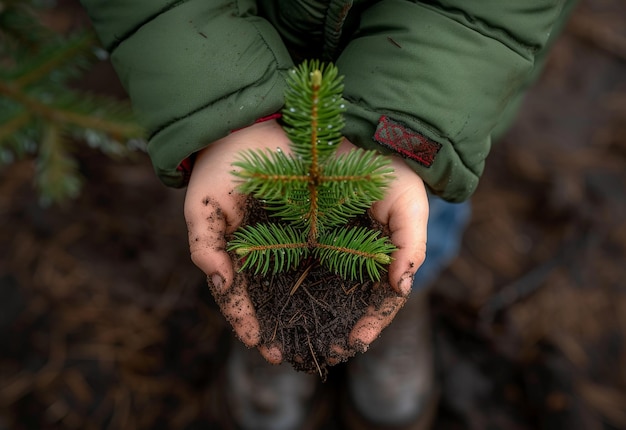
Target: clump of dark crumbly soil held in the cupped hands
310, 311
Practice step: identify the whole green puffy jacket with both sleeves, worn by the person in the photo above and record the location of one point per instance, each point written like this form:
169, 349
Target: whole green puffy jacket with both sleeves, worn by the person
430, 80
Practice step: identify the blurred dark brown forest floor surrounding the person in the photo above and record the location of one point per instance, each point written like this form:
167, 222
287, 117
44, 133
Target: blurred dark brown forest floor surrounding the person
105, 322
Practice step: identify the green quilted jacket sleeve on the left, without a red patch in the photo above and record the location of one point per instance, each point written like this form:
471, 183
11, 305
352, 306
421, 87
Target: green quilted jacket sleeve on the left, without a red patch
194, 70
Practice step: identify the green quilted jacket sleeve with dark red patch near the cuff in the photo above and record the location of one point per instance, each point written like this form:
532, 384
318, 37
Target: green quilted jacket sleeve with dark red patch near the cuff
431, 80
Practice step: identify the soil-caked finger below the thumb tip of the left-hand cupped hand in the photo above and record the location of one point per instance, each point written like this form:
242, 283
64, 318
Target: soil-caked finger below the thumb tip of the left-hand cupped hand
238, 310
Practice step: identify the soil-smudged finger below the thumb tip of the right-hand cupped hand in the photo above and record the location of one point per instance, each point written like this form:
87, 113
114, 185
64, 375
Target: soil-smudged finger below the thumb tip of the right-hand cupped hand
368, 327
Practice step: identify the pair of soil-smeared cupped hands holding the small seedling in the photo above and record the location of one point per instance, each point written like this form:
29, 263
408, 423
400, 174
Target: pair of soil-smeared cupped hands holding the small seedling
213, 208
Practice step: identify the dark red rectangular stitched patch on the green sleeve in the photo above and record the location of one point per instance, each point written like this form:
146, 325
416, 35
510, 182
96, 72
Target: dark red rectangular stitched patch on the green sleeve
405, 141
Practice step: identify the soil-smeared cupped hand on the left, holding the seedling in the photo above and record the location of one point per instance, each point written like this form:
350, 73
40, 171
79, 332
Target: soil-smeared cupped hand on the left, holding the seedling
213, 209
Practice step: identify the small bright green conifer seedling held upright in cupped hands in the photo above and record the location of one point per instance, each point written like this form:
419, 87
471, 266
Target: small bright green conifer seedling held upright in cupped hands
313, 191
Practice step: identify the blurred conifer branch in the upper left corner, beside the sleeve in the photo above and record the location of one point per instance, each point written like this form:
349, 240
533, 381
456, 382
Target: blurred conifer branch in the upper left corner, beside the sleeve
42, 116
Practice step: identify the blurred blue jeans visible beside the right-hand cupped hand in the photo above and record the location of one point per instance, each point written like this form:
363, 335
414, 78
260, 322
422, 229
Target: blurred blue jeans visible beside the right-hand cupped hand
446, 225
